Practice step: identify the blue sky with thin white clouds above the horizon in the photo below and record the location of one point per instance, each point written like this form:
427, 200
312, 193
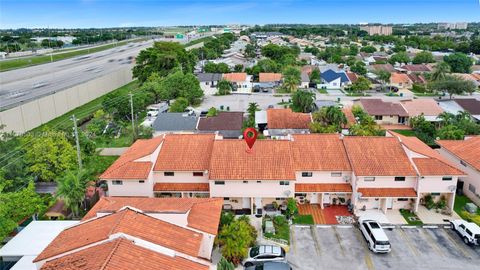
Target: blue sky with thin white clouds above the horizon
126, 13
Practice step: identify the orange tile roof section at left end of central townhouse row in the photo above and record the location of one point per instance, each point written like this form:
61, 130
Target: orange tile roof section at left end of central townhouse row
125, 167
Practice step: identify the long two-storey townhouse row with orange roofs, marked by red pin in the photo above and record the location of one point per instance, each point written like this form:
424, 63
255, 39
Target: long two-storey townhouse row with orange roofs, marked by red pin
367, 172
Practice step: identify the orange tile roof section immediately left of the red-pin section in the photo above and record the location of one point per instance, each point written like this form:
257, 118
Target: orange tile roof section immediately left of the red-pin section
185, 152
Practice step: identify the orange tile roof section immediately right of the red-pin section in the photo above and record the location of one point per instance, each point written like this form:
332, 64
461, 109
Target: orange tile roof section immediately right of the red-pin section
319, 152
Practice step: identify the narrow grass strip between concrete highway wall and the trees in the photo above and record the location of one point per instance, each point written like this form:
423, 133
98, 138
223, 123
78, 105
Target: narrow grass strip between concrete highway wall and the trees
87, 109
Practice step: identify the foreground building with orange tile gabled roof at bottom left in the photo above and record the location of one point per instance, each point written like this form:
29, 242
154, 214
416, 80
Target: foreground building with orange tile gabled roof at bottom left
136, 233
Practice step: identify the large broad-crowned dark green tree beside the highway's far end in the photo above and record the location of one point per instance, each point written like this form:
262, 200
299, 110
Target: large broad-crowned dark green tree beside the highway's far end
162, 58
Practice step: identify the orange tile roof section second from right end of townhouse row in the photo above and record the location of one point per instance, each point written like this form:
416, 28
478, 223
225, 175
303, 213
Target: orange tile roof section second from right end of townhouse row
377, 156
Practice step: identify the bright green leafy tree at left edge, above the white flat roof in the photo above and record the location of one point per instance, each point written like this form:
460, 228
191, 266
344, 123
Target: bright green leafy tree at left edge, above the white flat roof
16, 206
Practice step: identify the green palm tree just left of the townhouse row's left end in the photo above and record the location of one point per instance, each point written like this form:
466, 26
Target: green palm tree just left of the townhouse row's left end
71, 189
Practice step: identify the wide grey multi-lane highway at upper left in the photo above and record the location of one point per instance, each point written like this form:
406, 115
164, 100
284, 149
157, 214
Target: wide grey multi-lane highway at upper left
26, 84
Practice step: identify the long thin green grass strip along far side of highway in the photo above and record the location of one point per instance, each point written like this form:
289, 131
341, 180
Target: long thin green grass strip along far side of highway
37, 60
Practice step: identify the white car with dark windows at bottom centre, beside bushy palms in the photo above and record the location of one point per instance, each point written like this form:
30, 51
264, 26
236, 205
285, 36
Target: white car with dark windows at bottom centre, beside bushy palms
265, 253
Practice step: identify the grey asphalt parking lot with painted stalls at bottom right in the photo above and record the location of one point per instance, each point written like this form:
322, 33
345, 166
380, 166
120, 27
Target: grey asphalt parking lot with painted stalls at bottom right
343, 247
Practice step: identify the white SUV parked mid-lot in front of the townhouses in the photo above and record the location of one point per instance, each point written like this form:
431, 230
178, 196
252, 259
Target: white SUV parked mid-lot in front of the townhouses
377, 240
